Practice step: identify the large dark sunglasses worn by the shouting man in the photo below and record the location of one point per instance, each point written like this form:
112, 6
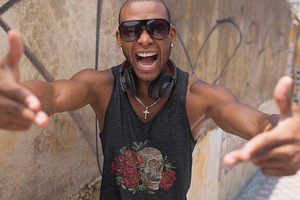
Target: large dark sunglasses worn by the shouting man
156, 28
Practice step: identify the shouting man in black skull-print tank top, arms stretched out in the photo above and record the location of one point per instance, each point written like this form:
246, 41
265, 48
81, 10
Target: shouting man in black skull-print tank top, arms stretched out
150, 112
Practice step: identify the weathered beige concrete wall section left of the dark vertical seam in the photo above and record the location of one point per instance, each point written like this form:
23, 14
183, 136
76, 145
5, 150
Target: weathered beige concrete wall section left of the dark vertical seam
54, 162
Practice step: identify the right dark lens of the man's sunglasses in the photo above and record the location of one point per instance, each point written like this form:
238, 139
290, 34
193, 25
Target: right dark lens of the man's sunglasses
158, 28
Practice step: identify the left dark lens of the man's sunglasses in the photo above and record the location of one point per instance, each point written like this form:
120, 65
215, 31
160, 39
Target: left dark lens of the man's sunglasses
130, 30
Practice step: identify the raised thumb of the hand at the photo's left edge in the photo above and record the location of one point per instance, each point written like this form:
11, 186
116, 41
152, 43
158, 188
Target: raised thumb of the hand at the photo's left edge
16, 48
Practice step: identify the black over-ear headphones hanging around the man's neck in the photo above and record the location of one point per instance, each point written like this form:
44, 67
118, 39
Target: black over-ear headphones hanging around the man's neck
159, 87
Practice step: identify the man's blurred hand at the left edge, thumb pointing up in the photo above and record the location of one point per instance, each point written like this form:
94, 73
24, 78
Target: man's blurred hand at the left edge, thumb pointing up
19, 107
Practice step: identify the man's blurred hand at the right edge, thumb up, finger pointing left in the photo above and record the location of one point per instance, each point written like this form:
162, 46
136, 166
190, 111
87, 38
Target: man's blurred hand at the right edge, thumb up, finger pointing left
276, 152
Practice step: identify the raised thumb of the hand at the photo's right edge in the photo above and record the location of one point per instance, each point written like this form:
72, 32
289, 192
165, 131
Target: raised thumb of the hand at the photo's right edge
281, 96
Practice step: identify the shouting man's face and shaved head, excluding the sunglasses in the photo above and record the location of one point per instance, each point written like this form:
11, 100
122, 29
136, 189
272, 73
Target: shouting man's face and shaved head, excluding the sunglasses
147, 56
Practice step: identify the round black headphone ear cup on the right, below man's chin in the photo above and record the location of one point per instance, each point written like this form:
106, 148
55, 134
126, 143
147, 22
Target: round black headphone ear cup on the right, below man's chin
160, 87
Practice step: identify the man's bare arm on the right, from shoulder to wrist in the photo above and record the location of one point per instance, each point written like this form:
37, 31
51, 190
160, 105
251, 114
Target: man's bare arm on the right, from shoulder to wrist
206, 101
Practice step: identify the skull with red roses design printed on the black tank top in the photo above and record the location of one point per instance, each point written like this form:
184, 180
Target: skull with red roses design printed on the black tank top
139, 169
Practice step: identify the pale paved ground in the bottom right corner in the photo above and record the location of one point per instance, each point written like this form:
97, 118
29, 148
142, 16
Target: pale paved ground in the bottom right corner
270, 188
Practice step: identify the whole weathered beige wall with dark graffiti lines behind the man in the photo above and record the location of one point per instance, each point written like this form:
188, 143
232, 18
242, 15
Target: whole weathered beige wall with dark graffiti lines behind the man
240, 44
